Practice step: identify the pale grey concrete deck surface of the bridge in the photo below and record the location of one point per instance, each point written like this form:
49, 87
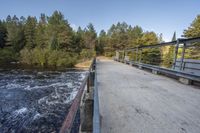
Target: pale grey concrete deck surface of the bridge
135, 101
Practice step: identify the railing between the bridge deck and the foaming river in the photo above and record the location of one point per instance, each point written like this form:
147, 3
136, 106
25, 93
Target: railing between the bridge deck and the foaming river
69, 120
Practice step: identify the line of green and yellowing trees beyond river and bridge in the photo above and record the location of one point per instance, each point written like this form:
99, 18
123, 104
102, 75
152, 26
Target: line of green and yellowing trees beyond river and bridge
51, 41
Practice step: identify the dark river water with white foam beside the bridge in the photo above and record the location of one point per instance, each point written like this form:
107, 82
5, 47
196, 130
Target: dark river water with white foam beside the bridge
36, 101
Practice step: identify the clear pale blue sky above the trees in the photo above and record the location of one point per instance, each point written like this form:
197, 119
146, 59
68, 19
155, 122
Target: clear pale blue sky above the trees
161, 16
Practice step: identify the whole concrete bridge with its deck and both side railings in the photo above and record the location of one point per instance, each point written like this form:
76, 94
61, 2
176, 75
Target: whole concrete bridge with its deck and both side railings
129, 96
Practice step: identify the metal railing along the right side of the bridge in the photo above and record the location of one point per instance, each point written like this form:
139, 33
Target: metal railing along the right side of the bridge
180, 63
